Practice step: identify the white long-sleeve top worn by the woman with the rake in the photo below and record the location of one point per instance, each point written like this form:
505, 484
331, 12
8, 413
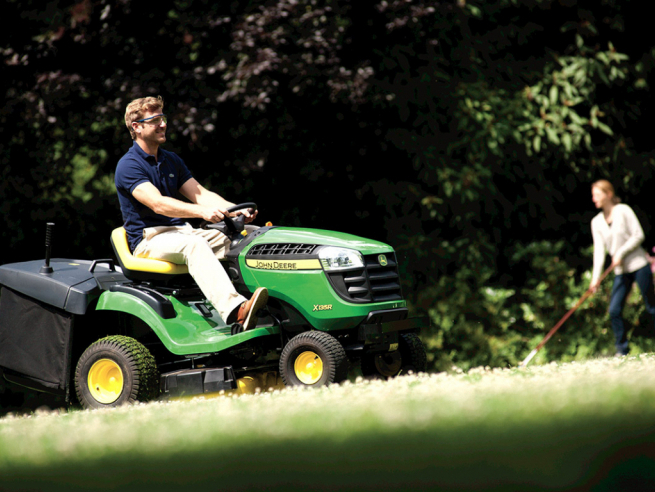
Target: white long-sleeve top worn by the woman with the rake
623, 238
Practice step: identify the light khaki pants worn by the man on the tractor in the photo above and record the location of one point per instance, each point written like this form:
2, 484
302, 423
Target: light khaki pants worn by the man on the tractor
200, 250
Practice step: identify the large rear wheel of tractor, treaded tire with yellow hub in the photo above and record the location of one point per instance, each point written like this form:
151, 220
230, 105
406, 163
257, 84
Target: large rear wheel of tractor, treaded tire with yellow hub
114, 371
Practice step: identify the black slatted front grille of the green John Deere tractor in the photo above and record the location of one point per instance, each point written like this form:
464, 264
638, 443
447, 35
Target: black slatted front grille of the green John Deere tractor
374, 283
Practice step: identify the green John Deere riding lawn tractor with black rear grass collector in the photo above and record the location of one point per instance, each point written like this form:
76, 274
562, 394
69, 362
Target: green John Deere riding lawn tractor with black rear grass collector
113, 331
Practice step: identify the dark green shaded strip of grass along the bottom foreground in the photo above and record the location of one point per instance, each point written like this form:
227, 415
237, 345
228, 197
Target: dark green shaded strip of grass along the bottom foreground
598, 454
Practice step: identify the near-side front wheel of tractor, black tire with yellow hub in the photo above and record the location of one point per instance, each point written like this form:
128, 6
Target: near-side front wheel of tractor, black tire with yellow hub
313, 358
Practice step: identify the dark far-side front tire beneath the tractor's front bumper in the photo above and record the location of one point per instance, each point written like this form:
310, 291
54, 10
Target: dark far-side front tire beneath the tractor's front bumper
410, 356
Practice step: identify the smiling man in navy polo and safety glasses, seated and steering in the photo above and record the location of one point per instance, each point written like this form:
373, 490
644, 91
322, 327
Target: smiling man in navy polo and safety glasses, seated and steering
148, 179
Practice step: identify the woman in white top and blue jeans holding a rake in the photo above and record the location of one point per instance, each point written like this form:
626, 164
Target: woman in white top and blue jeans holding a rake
617, 231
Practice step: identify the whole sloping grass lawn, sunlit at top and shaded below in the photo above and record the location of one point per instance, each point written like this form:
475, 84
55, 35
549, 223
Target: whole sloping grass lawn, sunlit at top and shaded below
577, 426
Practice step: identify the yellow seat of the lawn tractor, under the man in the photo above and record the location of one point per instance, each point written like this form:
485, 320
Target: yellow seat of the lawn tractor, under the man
136, 268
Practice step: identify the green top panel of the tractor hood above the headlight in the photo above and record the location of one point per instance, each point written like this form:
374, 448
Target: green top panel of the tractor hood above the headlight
295, 235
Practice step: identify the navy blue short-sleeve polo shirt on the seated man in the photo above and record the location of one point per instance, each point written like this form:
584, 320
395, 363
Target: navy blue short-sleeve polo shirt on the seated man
167, 173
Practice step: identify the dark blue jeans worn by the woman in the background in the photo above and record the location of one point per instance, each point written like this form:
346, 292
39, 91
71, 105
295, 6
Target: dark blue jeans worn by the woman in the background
620, 290
